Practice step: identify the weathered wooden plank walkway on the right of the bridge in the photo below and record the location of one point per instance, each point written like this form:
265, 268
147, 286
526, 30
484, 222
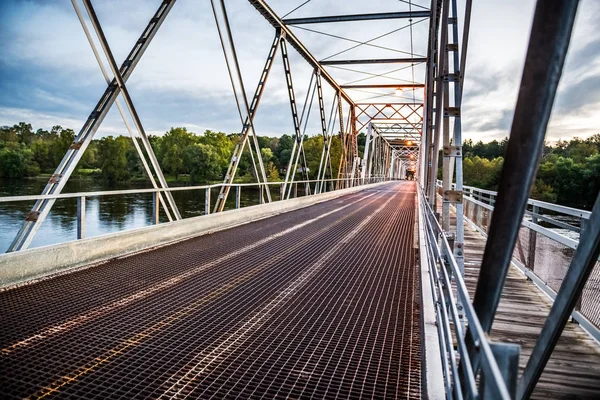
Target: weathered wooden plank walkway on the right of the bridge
573, 371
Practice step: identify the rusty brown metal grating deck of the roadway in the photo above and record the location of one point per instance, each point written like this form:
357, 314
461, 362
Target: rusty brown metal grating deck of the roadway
322, 302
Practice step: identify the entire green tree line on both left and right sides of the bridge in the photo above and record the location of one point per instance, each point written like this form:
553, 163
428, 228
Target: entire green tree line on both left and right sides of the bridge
569, 172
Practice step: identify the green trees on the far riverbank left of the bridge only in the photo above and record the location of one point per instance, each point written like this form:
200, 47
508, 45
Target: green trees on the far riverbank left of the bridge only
182, 155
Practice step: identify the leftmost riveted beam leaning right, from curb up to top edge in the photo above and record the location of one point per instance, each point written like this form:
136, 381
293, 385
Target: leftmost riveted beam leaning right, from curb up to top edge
40, 210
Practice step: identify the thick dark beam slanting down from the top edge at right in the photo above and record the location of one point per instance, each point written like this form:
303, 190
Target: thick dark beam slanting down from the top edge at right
548, 45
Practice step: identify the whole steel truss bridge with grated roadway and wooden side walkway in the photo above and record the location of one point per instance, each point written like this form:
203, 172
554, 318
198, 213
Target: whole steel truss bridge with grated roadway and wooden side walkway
356, 284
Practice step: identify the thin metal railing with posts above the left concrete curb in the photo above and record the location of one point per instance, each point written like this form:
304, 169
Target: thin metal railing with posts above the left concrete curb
326, 185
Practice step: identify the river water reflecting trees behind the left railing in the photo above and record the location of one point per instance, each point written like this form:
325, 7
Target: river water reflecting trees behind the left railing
106, 214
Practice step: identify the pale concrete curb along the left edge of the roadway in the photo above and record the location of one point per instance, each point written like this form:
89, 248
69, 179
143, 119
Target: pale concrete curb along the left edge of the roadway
27, 265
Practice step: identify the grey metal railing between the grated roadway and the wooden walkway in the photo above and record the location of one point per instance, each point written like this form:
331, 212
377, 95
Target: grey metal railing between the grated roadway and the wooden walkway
492, 373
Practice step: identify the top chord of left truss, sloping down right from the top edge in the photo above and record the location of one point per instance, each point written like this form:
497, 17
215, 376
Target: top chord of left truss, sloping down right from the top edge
266, 11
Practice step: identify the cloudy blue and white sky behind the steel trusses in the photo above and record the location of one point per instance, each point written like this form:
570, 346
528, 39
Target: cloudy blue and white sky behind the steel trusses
49, 76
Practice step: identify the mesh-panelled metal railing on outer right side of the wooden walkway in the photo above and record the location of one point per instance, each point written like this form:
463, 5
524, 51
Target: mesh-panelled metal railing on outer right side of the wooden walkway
548, 236
